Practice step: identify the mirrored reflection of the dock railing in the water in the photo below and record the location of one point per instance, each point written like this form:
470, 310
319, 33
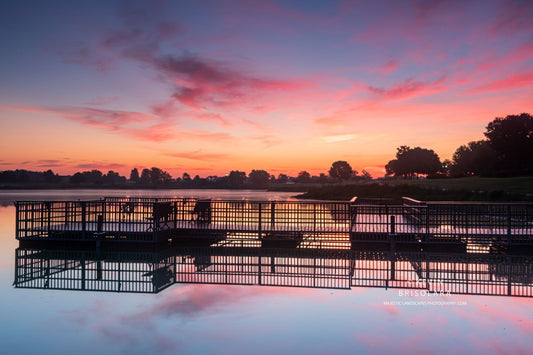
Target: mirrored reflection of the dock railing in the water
152, 272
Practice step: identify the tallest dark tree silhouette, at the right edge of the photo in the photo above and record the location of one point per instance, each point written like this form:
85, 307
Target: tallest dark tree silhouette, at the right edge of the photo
512, 138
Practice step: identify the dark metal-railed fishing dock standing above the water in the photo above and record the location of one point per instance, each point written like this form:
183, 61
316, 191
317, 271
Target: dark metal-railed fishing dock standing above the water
405, 225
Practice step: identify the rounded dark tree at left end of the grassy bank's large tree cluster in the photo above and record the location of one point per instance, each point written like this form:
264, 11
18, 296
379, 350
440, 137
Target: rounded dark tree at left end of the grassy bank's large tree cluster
413, 161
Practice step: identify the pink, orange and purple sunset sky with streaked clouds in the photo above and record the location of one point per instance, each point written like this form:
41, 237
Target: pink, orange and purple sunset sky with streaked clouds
206, 87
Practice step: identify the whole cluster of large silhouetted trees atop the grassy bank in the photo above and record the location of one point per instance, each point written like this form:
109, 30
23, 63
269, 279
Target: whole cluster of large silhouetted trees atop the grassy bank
506, 151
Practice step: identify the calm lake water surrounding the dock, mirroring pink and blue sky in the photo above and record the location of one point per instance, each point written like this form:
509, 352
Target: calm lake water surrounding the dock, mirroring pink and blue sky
229, 319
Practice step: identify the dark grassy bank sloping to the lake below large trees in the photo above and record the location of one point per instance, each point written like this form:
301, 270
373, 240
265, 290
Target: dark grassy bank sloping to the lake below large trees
462, 189
